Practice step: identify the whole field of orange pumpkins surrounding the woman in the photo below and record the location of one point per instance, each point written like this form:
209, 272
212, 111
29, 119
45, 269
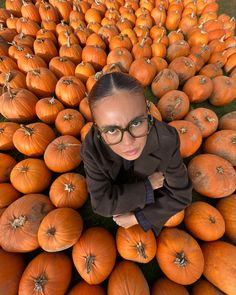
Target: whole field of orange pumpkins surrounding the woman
51, 54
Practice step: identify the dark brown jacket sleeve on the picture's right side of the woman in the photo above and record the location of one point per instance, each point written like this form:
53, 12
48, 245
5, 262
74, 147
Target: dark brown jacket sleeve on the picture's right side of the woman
174, 196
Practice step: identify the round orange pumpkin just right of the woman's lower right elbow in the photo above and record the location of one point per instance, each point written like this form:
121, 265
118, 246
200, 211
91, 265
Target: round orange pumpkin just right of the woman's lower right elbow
204, 221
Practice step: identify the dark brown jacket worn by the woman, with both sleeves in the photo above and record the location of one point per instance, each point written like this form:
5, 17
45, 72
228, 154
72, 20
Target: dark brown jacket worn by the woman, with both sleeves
112, 191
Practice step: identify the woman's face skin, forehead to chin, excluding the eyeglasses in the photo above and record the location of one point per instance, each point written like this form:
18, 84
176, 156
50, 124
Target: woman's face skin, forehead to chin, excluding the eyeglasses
118, 110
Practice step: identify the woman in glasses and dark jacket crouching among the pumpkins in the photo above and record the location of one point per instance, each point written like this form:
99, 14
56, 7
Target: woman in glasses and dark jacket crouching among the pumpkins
132, 162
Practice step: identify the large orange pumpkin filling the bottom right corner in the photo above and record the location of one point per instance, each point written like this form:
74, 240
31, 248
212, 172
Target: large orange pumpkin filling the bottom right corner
220, 266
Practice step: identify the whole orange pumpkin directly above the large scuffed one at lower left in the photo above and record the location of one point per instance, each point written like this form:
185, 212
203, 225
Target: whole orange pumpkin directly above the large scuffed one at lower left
30, 176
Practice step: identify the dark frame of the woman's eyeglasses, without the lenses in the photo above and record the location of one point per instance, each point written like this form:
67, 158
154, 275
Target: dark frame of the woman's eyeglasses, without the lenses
150, 121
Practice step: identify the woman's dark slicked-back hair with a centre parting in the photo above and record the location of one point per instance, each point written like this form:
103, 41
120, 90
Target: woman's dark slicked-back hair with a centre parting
109, 83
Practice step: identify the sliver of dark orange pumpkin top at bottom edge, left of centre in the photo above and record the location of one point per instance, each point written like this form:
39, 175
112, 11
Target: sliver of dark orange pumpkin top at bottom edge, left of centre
84, 288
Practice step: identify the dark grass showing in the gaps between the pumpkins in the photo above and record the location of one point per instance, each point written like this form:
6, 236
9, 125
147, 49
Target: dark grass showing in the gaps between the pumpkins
150, 270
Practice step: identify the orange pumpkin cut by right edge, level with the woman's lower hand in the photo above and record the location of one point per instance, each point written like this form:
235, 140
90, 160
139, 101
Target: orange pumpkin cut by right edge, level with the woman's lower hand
227, 206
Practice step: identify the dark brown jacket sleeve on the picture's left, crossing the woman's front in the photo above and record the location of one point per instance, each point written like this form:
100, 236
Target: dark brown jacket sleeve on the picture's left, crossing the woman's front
108, 198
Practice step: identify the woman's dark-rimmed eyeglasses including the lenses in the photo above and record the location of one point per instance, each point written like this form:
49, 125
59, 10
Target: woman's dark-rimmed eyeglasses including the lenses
138, 127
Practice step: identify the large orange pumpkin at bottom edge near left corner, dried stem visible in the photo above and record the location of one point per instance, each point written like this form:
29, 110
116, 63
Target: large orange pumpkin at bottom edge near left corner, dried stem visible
47, 273
